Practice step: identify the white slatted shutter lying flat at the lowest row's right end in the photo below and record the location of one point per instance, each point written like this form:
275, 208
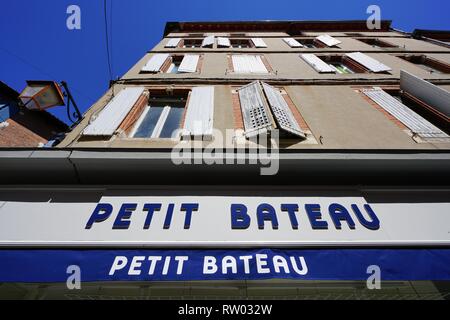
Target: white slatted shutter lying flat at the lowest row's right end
405, 115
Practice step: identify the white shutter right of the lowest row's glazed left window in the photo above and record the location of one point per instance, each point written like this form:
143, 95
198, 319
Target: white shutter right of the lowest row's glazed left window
200, 112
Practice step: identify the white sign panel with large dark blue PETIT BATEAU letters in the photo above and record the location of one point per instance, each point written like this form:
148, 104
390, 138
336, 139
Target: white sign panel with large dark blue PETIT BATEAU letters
213, 221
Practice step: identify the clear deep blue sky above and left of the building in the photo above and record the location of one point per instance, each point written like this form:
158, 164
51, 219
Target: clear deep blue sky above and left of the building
37, 45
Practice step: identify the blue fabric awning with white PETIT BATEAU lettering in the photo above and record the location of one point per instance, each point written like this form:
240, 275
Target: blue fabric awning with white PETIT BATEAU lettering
37, 265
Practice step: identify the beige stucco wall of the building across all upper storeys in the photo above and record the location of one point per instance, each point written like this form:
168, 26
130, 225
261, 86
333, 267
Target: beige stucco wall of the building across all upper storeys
329, 103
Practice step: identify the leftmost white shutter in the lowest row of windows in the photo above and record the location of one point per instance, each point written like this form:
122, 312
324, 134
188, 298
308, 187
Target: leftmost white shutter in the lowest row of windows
112, 115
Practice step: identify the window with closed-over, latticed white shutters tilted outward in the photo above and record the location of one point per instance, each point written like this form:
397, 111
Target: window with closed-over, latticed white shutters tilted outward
264, 108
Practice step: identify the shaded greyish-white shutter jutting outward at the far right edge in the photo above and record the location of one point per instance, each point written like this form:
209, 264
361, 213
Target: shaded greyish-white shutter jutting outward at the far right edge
436, 97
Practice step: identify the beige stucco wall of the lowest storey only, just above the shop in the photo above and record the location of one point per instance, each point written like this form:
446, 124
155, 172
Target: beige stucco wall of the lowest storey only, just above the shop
339, 114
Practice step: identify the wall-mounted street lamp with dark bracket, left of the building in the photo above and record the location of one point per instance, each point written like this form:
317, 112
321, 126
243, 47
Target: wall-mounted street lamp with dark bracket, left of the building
42, 94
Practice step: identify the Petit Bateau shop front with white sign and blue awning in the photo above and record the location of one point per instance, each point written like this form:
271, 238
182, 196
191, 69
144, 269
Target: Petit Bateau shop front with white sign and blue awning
224, 242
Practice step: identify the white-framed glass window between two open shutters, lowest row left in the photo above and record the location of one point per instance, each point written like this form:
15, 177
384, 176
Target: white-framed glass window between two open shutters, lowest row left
160, 118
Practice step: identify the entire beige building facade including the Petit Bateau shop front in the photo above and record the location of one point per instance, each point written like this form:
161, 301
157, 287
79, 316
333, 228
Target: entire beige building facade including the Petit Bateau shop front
356, 120
